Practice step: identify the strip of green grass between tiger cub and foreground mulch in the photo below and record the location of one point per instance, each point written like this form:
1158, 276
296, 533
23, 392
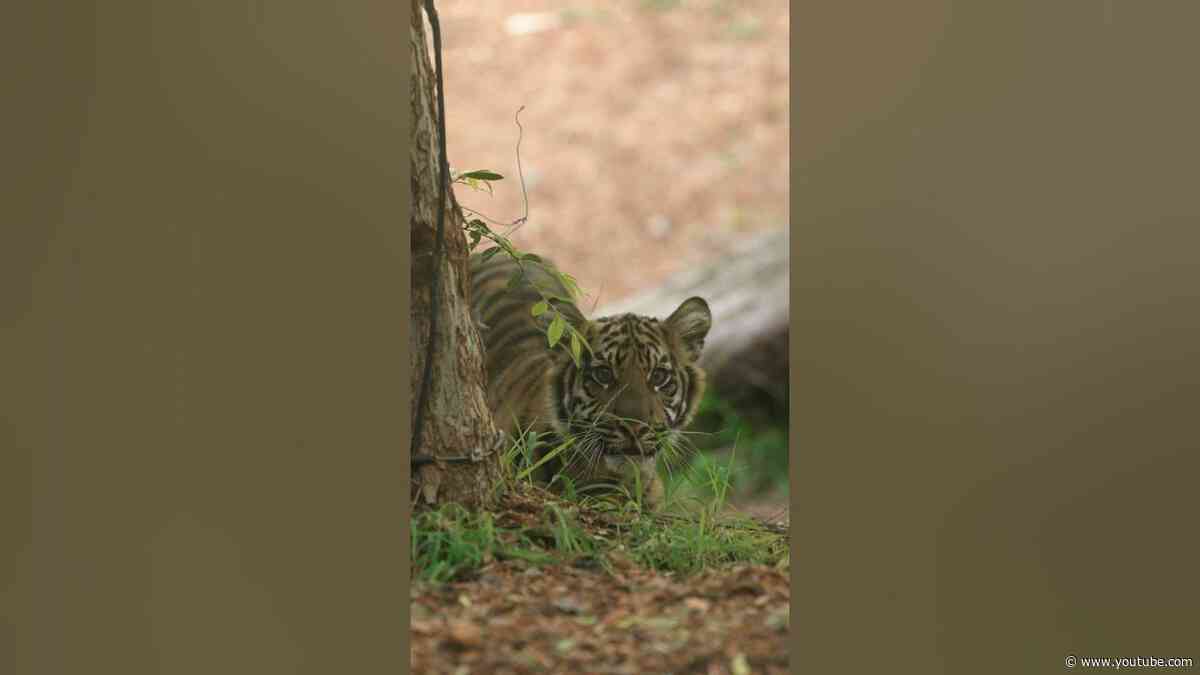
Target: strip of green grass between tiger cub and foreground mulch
580, 528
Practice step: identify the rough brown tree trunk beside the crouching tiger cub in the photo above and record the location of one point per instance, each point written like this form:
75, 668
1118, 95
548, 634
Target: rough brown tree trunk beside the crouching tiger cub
457, 420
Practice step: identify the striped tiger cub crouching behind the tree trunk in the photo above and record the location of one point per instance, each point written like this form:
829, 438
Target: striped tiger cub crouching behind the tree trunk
625, 407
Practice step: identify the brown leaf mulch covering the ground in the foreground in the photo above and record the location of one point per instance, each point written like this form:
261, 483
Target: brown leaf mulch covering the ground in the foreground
518, 619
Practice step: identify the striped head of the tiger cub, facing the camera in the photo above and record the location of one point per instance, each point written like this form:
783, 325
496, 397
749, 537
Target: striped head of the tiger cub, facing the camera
639, 386
